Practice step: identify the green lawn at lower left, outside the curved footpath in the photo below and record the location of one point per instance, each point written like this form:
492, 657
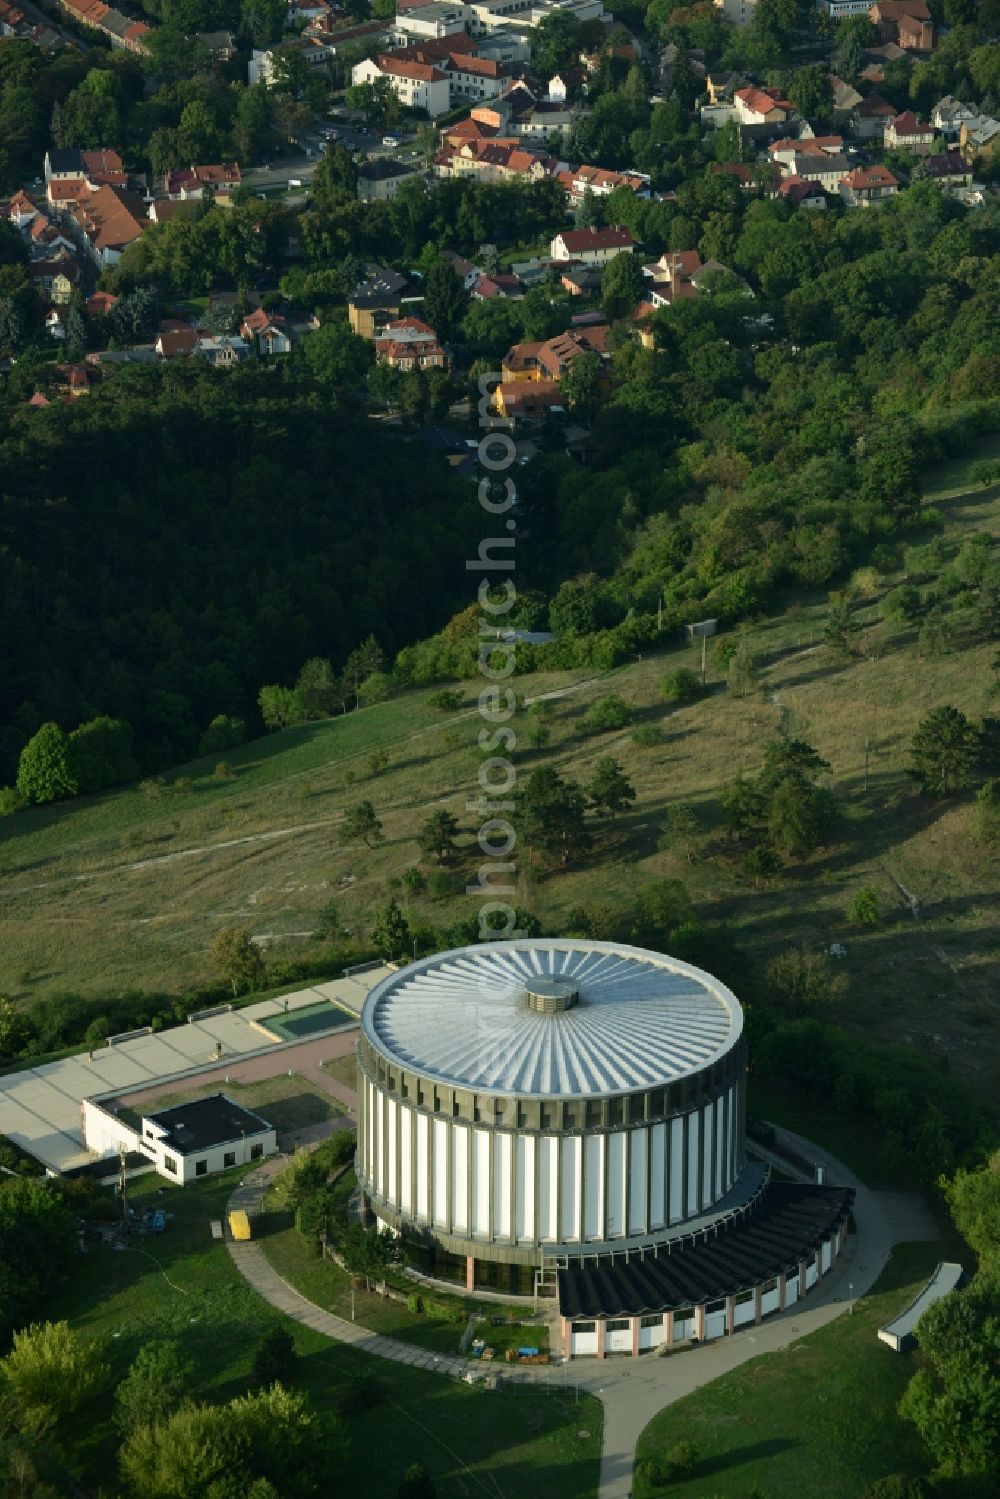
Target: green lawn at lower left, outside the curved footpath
185, 1285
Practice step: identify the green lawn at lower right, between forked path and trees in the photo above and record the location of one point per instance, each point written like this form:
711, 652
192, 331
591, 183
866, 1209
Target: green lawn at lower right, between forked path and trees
816, 1422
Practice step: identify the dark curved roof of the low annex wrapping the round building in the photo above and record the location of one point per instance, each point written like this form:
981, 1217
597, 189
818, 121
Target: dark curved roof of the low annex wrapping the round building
792, 1222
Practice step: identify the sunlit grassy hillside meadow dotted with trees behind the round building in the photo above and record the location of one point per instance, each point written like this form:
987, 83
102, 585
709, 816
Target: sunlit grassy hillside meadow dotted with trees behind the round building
122, 893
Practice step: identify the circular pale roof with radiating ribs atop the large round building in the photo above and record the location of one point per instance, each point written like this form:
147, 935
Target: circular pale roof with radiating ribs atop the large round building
633, 1020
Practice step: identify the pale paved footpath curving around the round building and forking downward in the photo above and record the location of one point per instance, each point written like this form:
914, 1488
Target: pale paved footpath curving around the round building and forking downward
633, 1390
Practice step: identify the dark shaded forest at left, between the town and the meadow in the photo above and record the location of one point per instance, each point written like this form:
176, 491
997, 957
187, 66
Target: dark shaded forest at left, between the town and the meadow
184, 536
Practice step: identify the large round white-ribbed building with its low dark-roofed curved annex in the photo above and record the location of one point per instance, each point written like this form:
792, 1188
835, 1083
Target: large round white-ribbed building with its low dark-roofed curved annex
567, 1116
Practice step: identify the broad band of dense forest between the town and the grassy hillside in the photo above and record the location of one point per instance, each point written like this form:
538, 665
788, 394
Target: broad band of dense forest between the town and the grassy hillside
166, 552
